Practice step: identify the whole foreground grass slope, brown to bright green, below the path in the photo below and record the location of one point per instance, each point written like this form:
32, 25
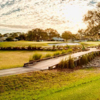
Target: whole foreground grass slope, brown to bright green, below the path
82, 84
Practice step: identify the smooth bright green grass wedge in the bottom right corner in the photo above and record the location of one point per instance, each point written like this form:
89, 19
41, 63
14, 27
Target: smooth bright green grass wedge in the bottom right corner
86, 91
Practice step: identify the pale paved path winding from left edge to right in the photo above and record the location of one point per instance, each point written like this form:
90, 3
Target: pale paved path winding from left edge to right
43, 65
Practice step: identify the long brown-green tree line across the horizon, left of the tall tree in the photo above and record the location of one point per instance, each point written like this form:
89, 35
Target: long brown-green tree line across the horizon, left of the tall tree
38, 35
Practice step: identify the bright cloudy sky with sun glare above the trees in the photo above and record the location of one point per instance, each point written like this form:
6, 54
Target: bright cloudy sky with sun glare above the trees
62, 15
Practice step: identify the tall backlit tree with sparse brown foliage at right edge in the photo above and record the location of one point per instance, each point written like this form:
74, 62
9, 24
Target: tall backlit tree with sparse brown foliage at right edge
92, 18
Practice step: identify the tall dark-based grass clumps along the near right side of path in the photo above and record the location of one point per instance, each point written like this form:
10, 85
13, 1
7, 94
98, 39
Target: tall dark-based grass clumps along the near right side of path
71, 63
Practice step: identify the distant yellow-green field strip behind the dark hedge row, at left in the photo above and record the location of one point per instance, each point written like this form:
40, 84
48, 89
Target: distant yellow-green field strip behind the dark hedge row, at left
25, 43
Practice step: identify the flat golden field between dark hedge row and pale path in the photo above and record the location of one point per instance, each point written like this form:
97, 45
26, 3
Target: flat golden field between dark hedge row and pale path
11, 59
